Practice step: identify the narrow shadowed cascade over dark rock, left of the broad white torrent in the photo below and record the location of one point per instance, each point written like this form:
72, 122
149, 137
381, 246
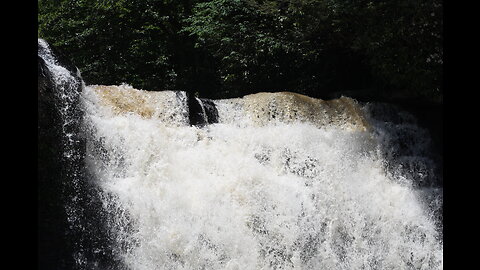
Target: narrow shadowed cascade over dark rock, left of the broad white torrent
71, 231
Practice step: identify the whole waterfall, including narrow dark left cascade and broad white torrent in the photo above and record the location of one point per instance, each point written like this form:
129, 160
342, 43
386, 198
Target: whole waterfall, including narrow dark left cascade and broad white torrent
166, 180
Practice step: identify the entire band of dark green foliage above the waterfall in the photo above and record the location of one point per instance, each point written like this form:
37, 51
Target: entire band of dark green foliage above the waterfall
223, 48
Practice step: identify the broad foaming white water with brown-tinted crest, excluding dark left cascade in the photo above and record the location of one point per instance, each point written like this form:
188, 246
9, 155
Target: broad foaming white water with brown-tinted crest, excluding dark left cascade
253, 191
